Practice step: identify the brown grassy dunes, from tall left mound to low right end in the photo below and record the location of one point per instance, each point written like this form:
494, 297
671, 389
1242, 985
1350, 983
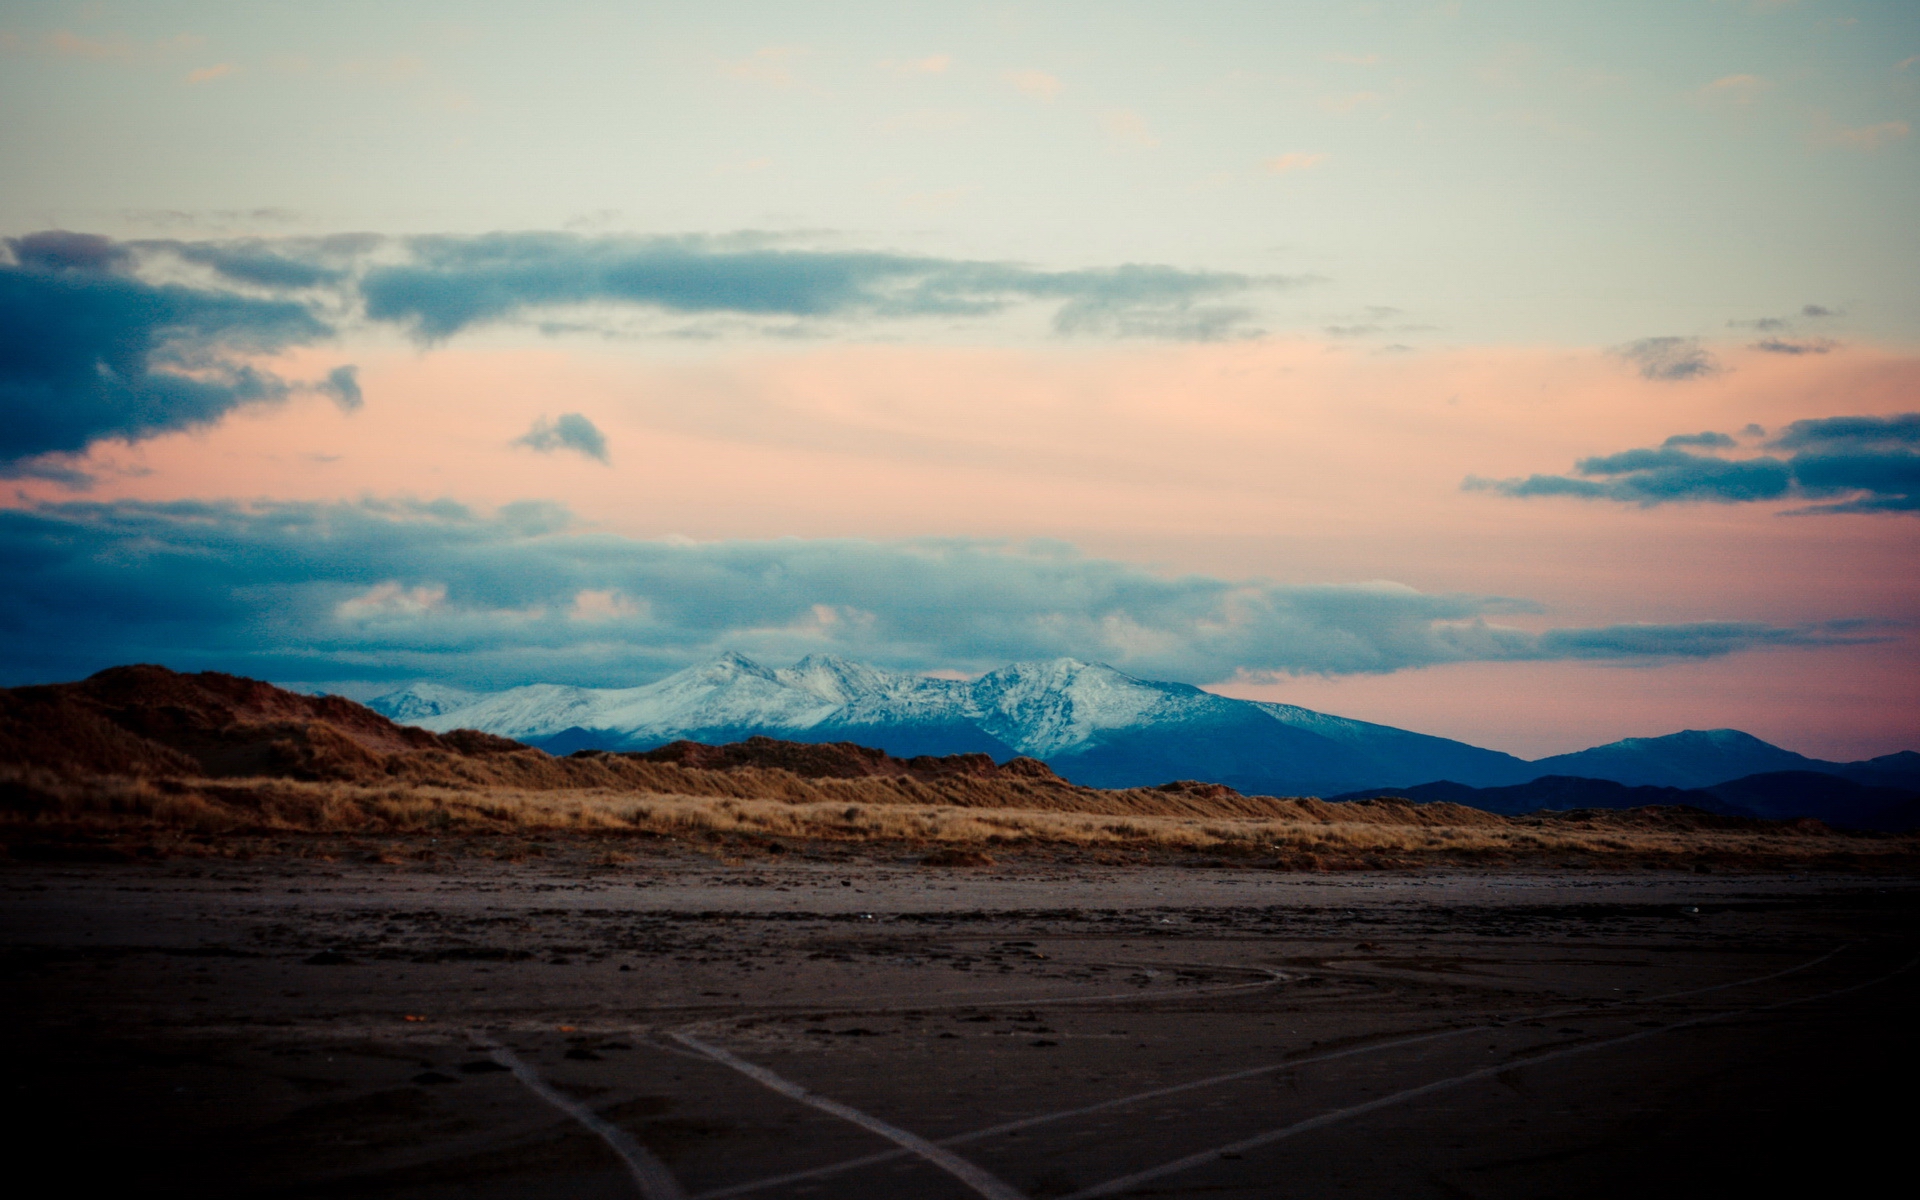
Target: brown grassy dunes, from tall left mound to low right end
149, 757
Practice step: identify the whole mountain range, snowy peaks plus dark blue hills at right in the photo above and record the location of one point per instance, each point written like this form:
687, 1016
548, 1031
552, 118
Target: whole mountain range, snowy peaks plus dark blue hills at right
1092, 723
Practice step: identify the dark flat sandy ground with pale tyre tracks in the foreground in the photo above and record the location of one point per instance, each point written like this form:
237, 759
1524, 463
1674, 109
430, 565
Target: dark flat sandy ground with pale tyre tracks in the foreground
821, 1030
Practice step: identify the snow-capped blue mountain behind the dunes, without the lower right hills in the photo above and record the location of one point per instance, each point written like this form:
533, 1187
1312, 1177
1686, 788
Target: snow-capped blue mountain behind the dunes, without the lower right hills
1107, 727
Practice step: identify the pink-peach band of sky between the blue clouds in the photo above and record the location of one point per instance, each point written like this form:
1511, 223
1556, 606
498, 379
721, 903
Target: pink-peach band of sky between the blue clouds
1291, 460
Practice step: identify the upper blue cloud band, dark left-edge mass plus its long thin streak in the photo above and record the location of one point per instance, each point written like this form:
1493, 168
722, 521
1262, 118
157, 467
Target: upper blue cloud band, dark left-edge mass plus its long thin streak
105, 339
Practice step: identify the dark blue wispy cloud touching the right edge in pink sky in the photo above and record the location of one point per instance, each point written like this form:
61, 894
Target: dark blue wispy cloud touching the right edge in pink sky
1854, 464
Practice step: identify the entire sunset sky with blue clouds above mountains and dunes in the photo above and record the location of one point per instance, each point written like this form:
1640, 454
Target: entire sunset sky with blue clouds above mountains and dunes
1525, 373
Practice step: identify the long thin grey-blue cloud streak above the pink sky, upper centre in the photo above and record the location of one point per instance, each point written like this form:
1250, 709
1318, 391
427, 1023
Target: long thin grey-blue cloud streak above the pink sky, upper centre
452, 283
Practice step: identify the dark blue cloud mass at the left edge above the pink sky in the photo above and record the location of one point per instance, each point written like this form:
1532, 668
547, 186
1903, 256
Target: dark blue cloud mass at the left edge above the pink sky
89, 350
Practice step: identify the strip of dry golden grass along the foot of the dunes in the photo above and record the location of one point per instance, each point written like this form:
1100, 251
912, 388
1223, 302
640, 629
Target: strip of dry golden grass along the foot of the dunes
846, 811
